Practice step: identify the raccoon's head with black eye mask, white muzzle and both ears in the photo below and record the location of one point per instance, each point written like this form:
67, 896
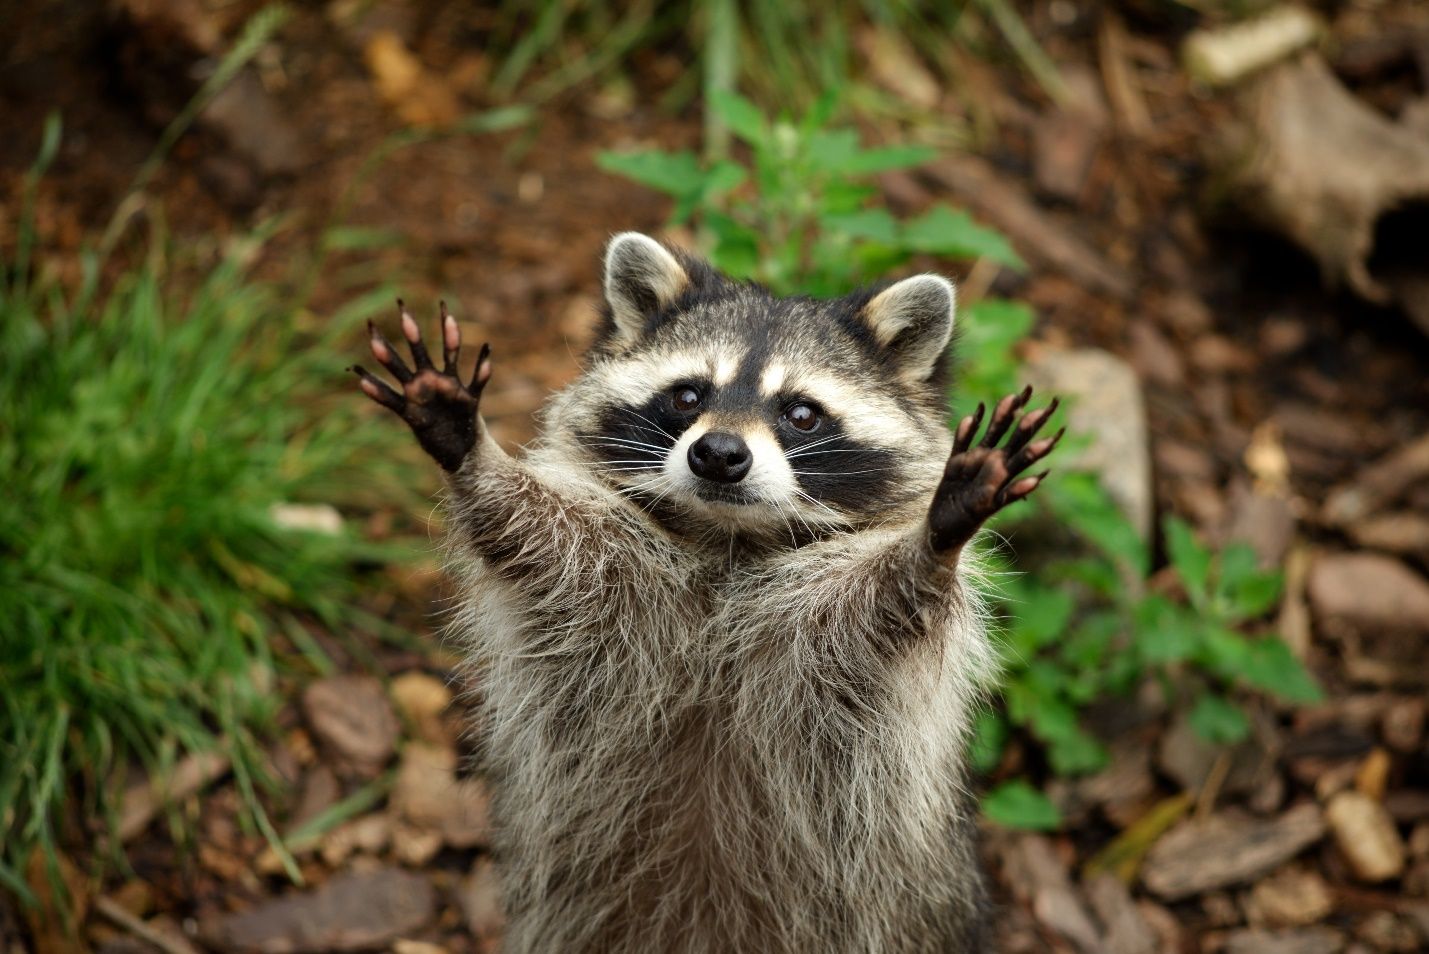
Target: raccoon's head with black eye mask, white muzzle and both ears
715, 405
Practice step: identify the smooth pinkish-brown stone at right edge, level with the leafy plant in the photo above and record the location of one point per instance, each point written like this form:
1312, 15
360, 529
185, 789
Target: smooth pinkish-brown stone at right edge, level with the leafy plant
1368, 591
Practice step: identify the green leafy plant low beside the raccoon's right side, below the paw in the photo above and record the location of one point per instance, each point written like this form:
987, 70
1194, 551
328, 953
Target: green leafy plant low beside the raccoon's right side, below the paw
1084, 631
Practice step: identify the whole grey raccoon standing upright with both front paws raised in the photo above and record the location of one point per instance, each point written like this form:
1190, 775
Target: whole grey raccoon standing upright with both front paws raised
722, 616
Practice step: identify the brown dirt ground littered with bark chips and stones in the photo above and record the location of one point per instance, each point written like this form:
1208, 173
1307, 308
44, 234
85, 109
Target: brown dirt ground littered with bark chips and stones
1243, 353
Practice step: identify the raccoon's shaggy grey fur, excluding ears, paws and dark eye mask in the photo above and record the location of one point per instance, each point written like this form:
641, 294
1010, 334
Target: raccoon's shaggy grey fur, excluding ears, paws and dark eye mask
708, 733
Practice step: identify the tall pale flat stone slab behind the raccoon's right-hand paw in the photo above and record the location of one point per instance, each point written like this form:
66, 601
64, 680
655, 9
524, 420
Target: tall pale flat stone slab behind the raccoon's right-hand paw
1107, 406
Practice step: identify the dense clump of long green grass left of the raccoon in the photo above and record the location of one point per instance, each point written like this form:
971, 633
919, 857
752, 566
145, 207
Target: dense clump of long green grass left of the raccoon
149, 581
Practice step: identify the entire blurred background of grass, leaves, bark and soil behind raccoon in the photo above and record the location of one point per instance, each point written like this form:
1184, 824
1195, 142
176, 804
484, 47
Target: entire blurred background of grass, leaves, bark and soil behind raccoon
229, 719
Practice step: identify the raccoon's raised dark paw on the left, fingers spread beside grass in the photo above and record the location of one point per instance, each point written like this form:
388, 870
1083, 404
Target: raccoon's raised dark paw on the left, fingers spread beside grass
437, 405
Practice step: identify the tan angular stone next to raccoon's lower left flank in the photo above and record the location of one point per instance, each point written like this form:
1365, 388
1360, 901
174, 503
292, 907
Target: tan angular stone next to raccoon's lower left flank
429, 796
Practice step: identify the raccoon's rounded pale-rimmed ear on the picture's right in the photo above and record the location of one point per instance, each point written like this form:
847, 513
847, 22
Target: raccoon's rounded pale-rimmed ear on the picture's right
914, 321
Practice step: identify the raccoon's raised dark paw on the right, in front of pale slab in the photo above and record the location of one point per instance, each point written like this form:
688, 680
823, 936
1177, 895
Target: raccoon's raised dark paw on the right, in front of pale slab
978, 482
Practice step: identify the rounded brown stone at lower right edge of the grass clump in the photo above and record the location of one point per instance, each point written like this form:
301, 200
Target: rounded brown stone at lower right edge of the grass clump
354, 718
